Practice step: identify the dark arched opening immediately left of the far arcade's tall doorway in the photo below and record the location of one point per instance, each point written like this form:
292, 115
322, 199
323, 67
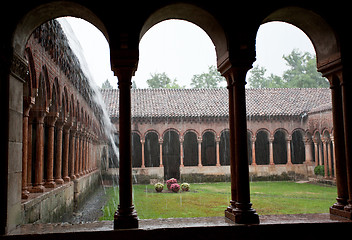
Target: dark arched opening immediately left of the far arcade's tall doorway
152, 150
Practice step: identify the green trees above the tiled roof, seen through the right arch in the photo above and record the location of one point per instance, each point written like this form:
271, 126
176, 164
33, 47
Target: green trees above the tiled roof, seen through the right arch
302, 73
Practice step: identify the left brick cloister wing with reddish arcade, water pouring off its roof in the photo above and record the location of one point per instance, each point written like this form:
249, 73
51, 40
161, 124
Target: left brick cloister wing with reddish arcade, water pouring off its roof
62, 135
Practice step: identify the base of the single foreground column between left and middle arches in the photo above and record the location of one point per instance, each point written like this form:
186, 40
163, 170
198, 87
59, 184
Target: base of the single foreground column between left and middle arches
125, 219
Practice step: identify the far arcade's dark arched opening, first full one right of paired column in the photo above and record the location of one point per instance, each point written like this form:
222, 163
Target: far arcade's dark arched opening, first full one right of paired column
262, 148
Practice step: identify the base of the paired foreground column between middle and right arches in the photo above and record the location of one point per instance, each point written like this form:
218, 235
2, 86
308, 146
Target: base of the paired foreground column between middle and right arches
243, 215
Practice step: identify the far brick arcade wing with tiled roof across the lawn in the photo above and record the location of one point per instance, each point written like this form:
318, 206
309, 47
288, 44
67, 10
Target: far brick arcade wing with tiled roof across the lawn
183, 132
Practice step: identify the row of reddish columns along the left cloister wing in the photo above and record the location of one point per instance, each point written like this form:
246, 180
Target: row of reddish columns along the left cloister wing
55, 150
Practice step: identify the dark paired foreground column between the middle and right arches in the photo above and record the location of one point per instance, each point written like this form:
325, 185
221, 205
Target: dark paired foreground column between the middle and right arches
243, 211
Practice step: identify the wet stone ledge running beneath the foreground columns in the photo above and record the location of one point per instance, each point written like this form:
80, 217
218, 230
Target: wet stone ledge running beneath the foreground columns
151, 224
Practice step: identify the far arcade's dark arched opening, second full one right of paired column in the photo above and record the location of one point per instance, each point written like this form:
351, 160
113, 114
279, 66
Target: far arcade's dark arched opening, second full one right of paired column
280, 147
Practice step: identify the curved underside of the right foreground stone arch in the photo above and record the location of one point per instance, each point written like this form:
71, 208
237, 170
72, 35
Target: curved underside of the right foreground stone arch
323, 37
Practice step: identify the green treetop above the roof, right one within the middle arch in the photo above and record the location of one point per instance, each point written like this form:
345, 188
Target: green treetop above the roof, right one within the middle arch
210, 79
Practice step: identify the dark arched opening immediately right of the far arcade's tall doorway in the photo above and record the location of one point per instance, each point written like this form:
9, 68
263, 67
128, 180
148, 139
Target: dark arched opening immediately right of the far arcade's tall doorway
190, 148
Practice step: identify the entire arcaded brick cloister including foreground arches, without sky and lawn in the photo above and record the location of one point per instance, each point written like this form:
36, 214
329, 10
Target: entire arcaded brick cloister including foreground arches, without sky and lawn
53, 143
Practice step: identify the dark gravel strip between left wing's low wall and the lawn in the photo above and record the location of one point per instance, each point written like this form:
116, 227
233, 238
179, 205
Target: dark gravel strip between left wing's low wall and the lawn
92, 210
